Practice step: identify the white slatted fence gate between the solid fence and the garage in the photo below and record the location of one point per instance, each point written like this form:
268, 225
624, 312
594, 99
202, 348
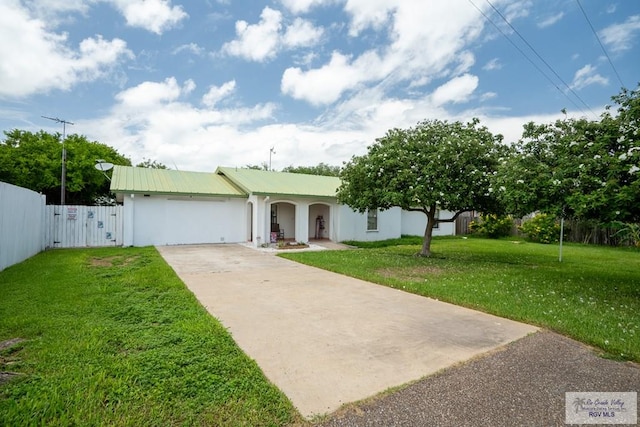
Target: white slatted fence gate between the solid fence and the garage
83, 226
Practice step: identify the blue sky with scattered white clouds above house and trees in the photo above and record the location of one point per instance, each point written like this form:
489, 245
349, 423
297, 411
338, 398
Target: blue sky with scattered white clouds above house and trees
201, 84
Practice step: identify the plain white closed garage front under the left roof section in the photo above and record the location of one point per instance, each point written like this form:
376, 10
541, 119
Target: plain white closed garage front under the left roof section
162, 220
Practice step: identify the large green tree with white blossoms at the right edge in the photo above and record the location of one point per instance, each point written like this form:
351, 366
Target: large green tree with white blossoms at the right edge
577, 168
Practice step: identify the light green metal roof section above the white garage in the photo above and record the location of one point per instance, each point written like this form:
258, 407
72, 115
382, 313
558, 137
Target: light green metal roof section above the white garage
165, 181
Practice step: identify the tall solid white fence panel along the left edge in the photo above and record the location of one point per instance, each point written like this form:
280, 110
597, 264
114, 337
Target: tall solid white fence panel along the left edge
21, 224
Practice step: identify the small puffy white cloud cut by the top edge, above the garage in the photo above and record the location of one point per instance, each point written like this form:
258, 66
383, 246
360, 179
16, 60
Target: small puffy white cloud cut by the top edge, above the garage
156, 16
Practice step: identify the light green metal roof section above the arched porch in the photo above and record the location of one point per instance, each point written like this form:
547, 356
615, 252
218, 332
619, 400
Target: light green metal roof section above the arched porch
281, 183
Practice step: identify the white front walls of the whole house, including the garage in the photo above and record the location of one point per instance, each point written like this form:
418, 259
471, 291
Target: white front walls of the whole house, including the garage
163, 220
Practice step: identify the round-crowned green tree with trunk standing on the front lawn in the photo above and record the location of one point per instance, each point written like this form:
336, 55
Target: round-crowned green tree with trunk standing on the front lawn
436, 165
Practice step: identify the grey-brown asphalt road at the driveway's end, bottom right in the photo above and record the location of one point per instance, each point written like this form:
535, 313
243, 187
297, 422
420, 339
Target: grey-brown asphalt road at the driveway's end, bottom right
521, 384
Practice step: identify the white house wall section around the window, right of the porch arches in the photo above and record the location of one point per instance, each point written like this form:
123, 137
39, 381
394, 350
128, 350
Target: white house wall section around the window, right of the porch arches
353, 225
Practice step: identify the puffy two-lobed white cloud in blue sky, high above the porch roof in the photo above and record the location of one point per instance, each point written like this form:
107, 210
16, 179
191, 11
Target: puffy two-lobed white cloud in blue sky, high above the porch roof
262, 41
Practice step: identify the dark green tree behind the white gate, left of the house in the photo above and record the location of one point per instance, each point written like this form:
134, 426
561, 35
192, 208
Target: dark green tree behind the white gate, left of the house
34, 161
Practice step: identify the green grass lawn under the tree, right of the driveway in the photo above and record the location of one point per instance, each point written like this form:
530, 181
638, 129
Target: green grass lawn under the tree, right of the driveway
592, 296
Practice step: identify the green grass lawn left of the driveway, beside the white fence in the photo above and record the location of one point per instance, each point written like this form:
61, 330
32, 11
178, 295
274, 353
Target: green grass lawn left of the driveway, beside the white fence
113, 337
